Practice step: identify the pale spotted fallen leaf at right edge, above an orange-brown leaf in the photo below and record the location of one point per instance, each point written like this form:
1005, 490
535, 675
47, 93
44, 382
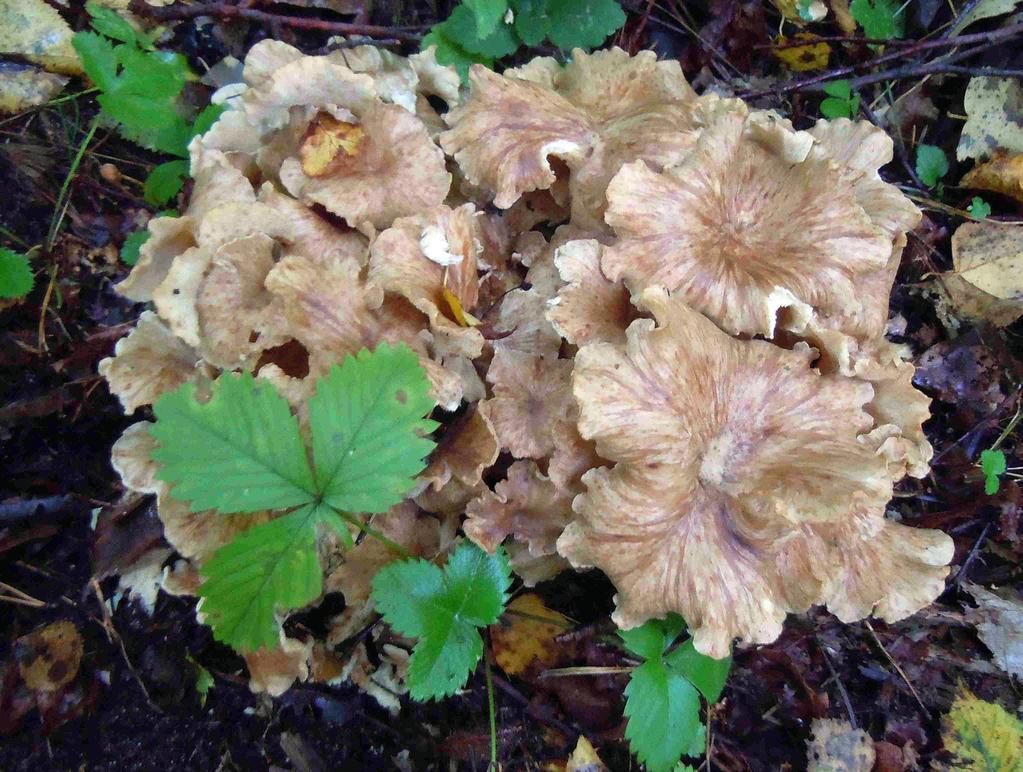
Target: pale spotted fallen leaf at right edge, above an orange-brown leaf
995, 114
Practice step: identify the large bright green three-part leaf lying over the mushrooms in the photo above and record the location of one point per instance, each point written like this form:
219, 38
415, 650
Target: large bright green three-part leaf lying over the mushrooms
242, 451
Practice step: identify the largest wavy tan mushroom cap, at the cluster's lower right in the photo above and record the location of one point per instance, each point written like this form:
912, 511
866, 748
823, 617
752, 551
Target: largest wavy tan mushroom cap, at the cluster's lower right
727, 451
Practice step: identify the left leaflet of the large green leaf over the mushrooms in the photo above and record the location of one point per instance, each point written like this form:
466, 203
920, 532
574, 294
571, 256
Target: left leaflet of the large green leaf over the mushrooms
239, 452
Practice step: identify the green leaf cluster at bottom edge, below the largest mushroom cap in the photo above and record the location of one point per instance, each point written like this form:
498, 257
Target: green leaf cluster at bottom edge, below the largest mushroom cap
662, 700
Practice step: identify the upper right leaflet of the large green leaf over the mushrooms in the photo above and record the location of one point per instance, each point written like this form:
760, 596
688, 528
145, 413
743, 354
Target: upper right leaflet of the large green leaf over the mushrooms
369, 431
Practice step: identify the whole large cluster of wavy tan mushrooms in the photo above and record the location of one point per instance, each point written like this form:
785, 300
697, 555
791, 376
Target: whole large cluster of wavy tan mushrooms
653, 322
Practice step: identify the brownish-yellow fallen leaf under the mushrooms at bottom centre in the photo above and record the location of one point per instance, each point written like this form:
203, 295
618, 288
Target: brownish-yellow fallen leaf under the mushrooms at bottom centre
523, 642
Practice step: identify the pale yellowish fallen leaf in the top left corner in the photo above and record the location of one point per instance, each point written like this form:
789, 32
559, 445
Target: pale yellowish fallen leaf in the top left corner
34, 30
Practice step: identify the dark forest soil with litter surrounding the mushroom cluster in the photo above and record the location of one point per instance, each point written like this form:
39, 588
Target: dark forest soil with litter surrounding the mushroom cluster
66, 531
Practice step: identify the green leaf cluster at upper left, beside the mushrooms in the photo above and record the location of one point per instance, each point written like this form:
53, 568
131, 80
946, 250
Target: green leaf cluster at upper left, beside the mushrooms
141, 90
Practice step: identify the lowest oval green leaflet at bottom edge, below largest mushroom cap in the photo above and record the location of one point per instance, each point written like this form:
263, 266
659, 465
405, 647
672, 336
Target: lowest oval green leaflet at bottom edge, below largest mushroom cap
663, 713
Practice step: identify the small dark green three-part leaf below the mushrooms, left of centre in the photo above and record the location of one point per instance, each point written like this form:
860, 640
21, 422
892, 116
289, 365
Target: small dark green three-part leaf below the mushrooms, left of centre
443, 609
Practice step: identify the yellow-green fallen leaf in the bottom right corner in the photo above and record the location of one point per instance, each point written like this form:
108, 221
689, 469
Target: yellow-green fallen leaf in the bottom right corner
983, 737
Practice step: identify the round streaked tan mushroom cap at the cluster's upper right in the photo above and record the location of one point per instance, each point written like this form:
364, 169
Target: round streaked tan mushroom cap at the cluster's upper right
740, 232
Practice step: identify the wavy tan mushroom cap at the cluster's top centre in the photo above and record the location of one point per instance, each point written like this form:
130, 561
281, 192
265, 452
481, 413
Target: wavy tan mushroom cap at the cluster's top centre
597, 113
